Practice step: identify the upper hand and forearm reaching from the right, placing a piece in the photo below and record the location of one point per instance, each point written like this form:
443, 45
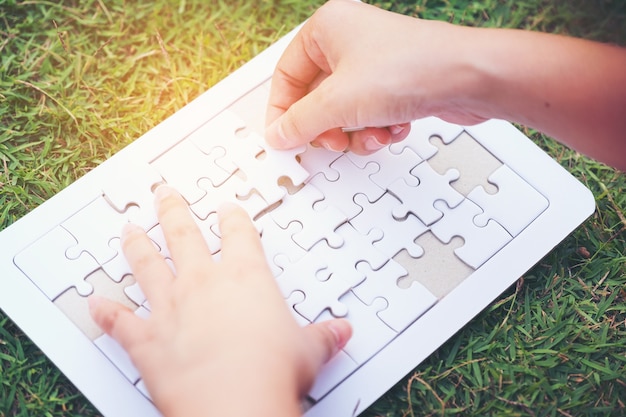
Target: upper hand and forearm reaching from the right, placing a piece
354, 65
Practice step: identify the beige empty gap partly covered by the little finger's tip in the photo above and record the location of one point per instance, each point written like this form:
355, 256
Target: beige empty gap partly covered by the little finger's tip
76, 307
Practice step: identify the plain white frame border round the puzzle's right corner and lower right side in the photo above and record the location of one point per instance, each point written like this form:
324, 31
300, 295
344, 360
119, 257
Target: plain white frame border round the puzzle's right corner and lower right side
570, 204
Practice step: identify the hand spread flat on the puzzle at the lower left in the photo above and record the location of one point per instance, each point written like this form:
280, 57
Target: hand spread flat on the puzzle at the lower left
216, 328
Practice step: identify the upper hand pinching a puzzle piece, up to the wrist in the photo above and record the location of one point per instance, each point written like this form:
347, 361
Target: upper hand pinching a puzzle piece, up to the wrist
354, 65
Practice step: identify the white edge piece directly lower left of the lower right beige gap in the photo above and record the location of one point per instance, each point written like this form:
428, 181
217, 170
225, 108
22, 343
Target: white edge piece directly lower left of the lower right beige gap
405, 305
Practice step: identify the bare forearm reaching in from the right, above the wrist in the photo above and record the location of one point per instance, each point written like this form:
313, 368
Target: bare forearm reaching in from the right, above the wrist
571, 89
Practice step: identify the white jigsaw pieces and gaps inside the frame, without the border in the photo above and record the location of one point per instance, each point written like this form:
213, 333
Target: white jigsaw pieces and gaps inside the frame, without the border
344, 234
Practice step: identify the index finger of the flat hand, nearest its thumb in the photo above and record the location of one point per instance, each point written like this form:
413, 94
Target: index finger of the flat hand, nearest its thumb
240, 239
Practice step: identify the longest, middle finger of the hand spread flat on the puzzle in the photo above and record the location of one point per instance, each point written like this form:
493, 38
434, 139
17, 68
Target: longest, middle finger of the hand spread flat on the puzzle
184, 239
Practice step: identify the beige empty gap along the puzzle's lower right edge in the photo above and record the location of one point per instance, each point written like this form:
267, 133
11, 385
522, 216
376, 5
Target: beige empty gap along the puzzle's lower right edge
439, 269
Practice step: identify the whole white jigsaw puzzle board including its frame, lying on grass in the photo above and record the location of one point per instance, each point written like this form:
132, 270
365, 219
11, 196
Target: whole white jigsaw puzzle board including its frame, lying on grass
408, 243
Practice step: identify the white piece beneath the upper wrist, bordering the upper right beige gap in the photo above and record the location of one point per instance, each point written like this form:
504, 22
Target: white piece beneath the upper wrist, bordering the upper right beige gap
421, 131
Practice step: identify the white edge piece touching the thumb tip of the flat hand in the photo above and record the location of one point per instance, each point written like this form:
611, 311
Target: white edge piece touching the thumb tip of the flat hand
369, 333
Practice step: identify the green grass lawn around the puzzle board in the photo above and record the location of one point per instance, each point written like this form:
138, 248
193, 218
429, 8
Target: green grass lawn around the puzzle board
80, 79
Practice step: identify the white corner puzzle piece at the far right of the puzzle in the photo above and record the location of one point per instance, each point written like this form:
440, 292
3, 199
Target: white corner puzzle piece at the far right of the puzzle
514, 206
